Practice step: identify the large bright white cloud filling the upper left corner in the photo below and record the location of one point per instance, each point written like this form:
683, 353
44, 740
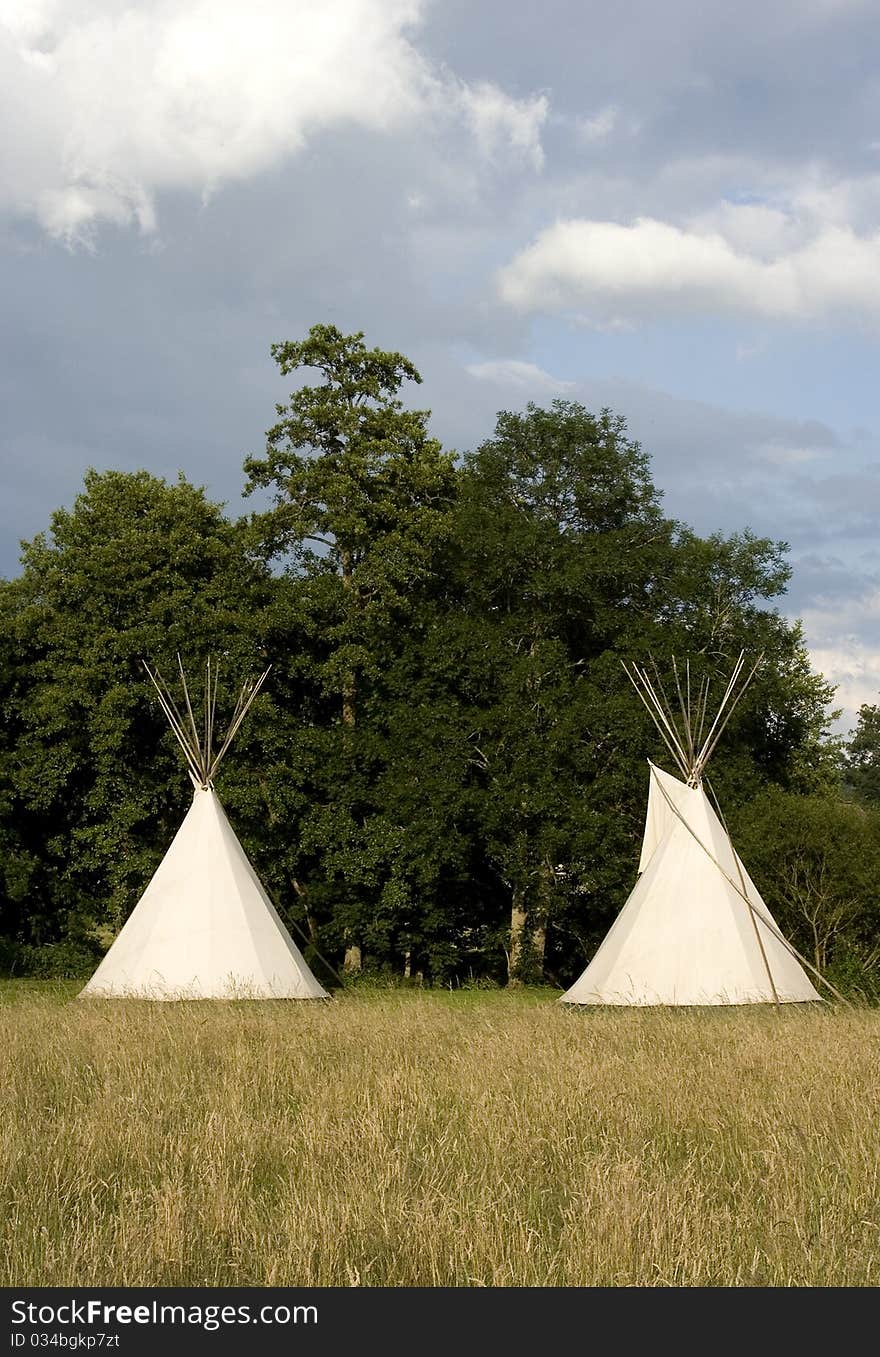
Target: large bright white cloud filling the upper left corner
107, 104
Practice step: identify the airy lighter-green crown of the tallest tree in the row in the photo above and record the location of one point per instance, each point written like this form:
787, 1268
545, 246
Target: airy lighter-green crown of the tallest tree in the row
362, 492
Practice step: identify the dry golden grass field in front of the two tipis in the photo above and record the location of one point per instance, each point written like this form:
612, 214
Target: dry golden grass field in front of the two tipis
468, 1139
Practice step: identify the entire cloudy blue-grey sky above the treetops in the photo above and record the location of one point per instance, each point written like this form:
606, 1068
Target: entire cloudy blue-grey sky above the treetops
672, 210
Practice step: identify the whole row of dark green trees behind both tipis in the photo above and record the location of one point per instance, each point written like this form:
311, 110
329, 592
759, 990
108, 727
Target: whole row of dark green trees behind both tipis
447, 766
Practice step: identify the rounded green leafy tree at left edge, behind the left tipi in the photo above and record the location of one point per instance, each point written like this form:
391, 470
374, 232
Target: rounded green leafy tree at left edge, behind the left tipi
92, 778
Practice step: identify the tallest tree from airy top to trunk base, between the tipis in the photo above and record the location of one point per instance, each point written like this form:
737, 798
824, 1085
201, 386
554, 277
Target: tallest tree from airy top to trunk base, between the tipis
362, 500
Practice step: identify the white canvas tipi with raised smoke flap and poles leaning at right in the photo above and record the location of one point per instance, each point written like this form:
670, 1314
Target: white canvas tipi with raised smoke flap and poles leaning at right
695, 930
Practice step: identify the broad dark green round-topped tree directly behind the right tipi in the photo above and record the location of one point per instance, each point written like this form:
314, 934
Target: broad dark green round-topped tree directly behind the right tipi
567, 567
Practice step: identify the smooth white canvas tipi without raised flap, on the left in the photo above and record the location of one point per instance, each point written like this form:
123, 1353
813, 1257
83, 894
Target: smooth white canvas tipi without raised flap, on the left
204, 929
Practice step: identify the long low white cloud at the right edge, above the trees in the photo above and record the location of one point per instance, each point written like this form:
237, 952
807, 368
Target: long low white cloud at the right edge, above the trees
739, 264
